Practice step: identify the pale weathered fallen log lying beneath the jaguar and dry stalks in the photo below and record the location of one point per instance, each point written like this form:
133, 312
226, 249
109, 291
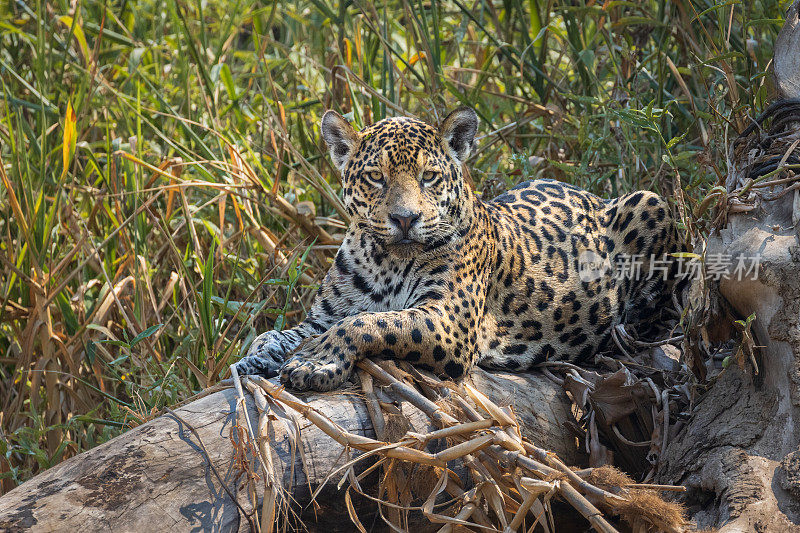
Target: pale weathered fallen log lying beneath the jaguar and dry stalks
155, 476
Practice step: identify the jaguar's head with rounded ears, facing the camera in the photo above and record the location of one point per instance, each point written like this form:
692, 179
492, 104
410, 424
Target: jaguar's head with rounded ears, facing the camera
402, 179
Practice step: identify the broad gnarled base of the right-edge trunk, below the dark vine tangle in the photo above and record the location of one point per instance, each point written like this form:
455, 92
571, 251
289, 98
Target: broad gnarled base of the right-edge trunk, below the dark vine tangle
730, 454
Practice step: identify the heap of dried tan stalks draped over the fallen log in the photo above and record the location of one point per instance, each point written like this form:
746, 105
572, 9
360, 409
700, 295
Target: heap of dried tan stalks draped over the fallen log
512, 480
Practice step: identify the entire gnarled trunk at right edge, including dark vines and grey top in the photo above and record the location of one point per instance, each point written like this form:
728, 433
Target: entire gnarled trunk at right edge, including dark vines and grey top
737, 455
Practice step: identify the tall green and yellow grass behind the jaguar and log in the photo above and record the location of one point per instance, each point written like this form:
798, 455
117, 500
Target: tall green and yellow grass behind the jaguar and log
165, 194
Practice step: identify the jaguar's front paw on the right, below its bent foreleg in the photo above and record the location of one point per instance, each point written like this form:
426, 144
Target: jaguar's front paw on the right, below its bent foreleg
316, 372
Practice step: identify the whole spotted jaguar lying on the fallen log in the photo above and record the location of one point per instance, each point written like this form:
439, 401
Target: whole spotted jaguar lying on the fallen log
430, 273
